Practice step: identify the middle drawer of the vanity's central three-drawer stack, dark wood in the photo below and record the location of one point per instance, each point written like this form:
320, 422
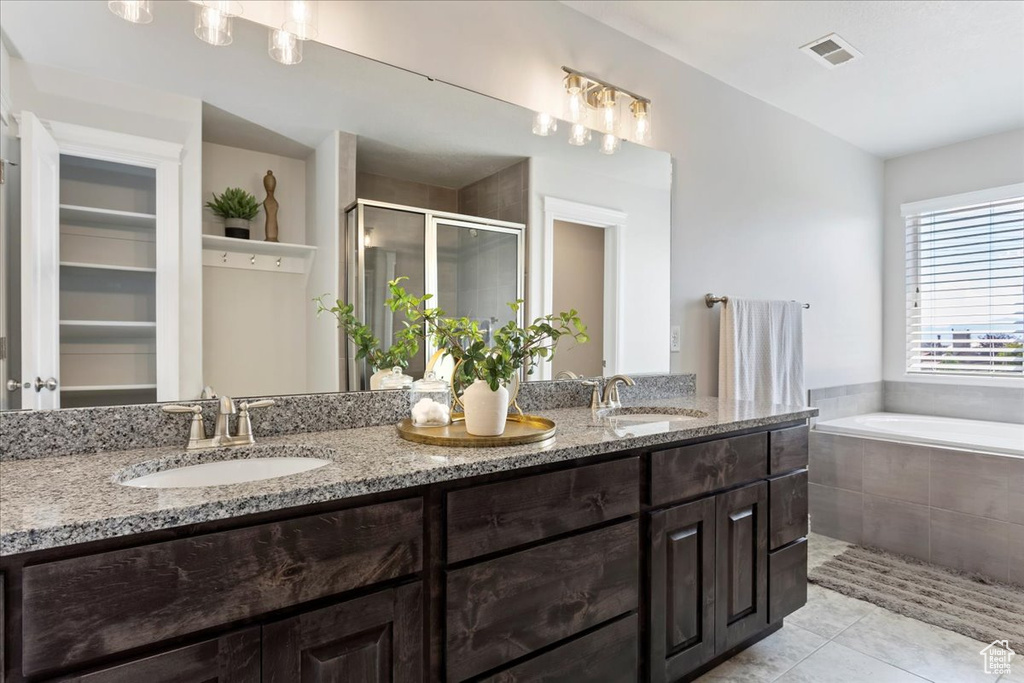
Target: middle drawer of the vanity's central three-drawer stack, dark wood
511, 607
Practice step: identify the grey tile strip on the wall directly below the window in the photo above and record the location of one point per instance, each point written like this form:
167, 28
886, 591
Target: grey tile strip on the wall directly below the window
996, 404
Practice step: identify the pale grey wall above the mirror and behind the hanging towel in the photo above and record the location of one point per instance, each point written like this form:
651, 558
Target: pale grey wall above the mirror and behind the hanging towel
763, 204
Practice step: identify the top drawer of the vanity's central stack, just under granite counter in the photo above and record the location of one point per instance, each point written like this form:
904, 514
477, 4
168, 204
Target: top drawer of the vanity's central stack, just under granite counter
493, 518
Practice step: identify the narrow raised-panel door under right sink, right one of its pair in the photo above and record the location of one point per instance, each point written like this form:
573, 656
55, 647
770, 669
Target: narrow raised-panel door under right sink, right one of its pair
742, 565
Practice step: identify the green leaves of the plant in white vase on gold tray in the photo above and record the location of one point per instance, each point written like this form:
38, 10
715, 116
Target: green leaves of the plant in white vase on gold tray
515, 348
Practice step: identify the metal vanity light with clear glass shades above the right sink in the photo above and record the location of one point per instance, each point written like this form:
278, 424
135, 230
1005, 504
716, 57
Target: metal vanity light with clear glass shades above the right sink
594, 105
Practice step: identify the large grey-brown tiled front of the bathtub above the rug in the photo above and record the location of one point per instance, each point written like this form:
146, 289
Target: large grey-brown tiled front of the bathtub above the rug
952, 507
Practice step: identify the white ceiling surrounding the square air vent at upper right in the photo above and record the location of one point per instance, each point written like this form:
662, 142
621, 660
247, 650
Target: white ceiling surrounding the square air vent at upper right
932, 73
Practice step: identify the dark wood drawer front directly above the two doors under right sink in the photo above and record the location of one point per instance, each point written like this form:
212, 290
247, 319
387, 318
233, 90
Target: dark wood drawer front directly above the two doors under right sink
703, 468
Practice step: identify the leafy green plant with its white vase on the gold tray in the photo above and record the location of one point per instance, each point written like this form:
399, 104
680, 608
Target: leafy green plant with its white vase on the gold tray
488, 371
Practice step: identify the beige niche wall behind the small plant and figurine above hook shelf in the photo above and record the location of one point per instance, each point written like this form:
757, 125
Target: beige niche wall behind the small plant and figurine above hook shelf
232, 167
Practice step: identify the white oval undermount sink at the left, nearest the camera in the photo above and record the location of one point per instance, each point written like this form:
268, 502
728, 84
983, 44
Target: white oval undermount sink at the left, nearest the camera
220, 468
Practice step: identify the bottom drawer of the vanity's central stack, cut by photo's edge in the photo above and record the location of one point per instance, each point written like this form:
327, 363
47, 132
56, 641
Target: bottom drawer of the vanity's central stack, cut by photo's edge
611, 654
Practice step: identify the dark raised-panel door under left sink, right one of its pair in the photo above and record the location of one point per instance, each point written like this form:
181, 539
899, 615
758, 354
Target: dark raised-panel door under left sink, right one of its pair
374, 639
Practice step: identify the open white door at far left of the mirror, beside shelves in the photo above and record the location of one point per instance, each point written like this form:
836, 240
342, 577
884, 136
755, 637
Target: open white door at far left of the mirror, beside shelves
40, 259
